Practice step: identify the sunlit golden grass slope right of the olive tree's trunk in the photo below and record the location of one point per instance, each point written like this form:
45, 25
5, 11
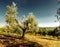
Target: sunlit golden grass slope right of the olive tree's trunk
44, 42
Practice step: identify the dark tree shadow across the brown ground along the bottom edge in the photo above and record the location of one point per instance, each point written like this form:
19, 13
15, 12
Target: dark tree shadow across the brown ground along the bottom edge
22, 44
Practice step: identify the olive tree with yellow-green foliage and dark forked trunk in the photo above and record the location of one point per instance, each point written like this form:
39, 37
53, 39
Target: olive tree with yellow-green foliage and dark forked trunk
27, 23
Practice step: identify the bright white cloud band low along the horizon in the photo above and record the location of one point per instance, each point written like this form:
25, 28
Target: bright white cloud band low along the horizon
55, 24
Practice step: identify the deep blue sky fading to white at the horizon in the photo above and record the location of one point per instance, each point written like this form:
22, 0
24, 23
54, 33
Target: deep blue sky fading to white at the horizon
44, 11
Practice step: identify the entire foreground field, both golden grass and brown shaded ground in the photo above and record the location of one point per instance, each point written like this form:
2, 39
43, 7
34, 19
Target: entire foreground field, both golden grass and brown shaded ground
31, 40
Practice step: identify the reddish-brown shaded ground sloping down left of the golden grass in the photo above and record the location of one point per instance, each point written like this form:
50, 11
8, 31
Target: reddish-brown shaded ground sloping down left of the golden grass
13, 42
